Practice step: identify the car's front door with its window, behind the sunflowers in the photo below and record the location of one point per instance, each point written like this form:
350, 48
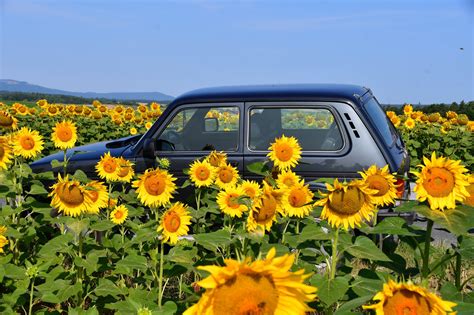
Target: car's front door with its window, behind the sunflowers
192, 131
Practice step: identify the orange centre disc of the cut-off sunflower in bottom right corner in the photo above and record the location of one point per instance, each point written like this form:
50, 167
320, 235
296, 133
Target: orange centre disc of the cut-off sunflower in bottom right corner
405, 302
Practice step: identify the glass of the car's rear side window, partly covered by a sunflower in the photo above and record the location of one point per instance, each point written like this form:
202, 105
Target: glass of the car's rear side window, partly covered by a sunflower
315, 128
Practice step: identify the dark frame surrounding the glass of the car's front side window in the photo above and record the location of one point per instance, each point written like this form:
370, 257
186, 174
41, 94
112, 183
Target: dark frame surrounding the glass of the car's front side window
181, 107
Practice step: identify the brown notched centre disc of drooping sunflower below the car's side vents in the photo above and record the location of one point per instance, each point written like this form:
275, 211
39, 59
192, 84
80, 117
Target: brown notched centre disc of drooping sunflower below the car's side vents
349, 202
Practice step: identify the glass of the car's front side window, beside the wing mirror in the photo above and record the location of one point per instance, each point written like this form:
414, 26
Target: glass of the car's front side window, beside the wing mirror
203, 129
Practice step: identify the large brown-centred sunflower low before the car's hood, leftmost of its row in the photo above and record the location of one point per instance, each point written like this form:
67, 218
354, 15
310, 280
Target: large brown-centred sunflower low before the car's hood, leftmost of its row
69, 197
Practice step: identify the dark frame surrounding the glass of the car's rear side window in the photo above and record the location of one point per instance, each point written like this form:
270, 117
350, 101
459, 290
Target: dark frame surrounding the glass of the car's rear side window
299, 104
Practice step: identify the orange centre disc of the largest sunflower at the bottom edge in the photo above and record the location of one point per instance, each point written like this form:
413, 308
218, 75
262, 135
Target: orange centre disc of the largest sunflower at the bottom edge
246, 294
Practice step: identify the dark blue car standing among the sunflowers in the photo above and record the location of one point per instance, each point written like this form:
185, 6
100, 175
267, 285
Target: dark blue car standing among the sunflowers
342, 130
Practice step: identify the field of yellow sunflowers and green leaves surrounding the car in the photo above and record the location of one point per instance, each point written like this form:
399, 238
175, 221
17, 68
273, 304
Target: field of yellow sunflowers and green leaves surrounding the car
129, 244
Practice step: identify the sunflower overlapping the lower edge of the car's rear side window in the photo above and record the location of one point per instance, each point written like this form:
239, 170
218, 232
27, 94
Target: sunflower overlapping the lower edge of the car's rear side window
285, 152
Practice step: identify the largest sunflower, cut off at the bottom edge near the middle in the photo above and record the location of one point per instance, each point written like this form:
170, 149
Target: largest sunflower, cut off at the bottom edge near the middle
261, 287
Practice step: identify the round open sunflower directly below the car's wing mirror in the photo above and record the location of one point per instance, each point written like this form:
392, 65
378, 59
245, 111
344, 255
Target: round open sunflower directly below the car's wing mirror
155, 187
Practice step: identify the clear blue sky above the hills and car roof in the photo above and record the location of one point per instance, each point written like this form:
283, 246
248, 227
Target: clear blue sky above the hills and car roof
405, 51
